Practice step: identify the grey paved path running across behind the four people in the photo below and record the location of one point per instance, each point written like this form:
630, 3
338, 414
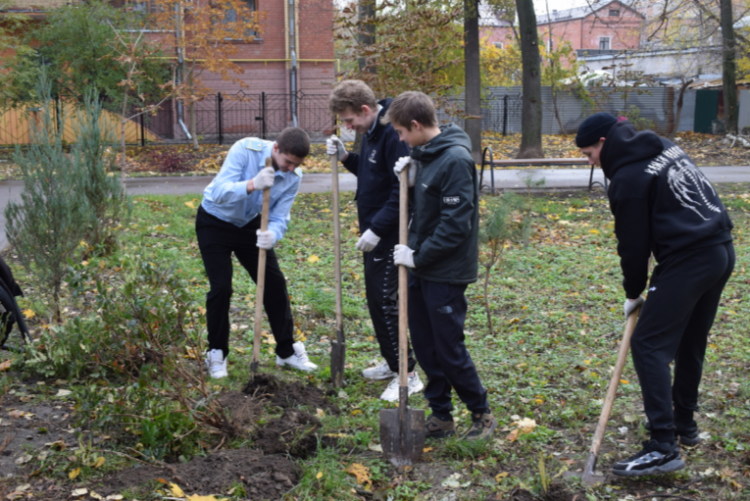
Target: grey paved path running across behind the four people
318, 183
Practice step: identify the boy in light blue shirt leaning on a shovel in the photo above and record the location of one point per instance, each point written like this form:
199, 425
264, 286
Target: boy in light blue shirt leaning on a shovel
228, 221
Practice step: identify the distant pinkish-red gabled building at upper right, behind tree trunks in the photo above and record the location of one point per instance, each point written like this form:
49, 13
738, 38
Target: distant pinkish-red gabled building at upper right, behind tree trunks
610, 26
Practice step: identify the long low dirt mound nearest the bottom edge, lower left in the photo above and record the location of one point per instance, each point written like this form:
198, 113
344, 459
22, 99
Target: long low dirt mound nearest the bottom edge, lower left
264, 477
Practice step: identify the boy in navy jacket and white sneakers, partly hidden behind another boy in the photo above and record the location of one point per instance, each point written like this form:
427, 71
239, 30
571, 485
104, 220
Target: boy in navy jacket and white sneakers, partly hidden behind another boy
377, 204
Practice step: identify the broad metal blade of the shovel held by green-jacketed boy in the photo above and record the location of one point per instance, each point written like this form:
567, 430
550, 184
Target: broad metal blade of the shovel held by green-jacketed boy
402, 439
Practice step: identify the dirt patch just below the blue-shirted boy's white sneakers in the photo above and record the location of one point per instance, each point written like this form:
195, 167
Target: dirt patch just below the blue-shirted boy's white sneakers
289, 395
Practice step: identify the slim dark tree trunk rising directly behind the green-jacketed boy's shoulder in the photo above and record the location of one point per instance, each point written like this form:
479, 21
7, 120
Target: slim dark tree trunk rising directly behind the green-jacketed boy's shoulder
472, 78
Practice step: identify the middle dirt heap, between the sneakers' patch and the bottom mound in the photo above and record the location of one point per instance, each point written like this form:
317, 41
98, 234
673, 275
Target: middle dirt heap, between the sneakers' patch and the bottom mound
293, 433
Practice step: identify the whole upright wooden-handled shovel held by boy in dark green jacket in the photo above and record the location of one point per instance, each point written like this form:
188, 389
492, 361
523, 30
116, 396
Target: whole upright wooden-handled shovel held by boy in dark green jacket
402, 430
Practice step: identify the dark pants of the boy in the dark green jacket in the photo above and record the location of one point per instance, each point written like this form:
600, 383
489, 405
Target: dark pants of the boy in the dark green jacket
437, 312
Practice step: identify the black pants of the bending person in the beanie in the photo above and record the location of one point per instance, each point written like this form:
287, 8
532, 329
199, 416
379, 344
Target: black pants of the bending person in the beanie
683, 297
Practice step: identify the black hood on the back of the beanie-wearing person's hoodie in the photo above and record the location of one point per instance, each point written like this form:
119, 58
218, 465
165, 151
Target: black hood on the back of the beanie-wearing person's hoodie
624, 145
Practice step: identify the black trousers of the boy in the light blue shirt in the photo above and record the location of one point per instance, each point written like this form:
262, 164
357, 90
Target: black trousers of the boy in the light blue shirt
217, 240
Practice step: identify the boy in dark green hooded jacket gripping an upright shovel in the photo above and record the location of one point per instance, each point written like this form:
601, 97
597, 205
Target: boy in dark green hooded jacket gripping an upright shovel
442, 256
